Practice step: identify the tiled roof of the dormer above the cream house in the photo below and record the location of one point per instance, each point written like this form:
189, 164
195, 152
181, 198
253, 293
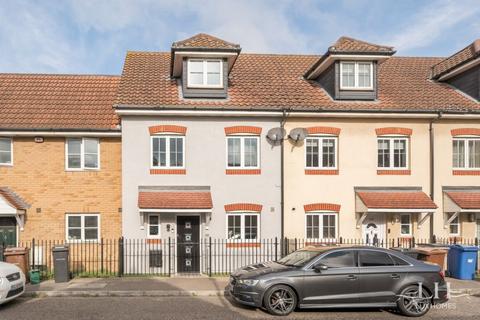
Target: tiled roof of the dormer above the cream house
346, 48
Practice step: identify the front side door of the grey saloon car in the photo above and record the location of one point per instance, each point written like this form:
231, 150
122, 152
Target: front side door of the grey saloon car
337, 284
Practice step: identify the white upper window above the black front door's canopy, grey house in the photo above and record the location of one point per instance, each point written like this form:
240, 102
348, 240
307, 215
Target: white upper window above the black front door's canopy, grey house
168, 151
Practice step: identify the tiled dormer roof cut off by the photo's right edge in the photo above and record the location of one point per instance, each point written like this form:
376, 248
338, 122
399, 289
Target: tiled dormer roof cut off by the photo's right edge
464, 59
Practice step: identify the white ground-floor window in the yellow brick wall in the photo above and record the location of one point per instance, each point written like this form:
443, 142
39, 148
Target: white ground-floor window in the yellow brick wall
82, 227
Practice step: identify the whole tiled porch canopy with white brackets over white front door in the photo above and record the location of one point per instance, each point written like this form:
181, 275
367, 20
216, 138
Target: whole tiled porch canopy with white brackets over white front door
393, 199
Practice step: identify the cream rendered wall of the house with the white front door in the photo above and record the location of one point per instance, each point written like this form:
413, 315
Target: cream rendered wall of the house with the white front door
357, 164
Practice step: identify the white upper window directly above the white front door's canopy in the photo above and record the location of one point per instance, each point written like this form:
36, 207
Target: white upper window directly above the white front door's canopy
392, 153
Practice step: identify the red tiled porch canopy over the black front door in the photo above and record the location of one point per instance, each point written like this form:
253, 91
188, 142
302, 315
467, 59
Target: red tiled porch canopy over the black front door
175, 199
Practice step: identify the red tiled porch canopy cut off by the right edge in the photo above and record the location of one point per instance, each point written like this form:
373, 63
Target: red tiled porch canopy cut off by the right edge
462, 200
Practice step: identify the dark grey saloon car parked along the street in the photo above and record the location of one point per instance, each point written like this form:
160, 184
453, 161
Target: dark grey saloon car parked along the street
340, 277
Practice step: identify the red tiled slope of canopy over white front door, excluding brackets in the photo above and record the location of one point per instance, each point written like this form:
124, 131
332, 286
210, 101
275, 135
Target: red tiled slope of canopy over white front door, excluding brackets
394, 201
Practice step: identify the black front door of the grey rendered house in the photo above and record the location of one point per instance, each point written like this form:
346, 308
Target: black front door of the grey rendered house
188, 244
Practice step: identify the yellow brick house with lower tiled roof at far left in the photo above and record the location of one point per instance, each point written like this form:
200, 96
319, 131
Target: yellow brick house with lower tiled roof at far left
60, 158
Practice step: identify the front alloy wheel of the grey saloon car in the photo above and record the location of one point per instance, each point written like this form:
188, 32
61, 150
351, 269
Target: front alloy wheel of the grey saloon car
280, 300
